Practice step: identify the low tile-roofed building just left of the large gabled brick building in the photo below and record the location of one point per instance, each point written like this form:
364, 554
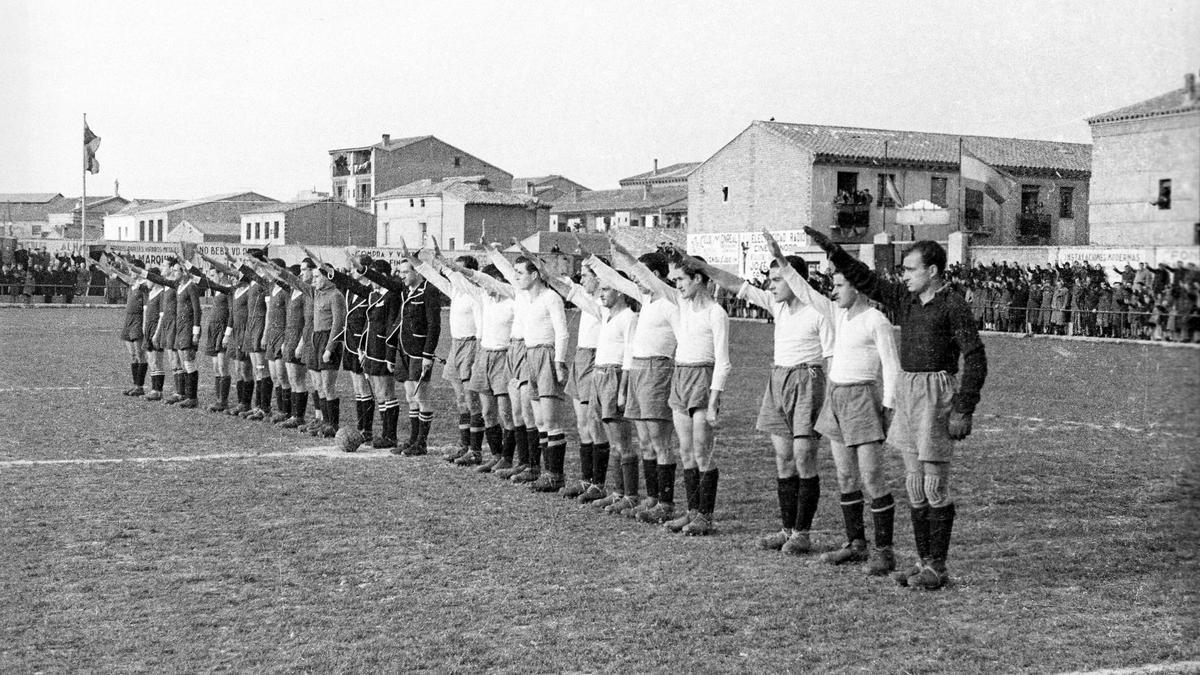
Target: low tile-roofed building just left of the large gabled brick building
629, 207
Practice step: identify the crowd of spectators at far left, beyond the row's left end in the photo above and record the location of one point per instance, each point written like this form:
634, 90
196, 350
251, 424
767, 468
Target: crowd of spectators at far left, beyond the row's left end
35, 276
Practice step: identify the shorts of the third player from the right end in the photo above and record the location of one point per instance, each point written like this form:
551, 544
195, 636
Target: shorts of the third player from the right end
793, 402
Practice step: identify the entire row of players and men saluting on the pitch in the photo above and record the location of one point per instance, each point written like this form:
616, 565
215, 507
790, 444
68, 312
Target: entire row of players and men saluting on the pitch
652, 359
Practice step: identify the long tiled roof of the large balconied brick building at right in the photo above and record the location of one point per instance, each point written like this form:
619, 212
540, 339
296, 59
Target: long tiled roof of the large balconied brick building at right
859, 145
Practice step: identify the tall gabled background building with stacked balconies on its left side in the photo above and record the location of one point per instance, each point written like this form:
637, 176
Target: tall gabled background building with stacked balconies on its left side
362, 174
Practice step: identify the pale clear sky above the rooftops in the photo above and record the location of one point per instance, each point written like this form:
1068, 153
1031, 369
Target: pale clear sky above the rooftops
195, 99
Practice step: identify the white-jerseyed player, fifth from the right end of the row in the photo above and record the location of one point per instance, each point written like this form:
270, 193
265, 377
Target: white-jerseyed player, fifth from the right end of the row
652, 368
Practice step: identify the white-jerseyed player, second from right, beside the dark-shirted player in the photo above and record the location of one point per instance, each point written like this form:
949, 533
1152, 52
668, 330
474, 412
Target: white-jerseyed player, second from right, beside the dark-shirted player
859, 407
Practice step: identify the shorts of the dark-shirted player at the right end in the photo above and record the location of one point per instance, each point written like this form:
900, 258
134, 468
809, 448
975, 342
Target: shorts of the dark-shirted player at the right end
922, 415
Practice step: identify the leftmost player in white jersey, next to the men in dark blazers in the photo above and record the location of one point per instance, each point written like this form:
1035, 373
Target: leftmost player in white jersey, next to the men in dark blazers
464, 345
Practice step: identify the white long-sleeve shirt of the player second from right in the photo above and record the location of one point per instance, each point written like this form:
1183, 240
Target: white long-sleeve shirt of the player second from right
865, 344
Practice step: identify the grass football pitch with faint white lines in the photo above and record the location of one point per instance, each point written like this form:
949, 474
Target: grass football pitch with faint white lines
1076, 546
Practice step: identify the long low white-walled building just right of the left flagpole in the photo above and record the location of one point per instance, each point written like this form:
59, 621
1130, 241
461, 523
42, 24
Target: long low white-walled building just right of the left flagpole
151, 222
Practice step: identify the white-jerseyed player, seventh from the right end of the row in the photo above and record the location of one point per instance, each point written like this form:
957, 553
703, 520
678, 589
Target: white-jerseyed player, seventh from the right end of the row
580, 377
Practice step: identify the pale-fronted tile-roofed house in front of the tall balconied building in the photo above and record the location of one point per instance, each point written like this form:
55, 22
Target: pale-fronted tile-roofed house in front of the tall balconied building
457, 212
